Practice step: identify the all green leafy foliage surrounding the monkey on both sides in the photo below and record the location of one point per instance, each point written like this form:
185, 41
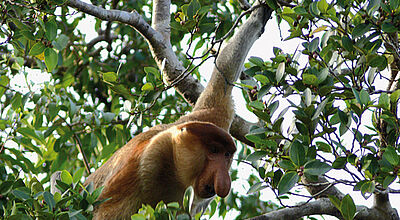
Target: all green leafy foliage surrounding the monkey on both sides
98, 93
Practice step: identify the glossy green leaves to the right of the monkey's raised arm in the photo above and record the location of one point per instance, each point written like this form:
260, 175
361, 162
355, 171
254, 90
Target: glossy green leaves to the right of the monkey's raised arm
346, 118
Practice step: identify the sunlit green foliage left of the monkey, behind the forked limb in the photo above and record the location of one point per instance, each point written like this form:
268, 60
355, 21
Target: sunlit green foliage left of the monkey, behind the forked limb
96, 94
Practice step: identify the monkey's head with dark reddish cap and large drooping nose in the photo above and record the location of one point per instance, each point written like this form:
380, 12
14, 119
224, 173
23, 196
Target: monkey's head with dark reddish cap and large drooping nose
203, 155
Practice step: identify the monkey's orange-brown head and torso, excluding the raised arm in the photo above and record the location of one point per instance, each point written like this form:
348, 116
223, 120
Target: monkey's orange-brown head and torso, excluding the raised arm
160, 164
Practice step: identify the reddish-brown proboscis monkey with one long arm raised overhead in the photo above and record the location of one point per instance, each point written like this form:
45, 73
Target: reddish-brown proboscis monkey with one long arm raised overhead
194, 151
